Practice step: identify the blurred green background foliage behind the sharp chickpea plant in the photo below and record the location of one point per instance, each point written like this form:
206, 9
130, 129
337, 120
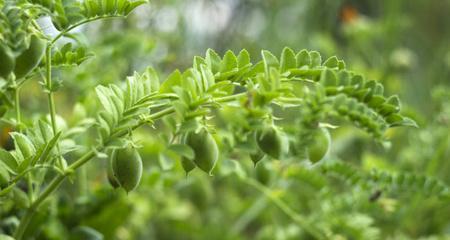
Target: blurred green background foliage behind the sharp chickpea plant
404, 44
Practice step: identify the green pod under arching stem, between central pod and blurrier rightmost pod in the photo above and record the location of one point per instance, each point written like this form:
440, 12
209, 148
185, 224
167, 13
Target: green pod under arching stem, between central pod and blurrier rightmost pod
269, 140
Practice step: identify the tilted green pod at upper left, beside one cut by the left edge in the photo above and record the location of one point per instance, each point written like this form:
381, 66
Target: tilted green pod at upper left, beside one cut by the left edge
29, 58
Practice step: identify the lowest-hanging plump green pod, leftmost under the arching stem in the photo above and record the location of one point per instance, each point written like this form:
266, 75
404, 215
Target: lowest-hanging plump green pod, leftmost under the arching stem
127, 168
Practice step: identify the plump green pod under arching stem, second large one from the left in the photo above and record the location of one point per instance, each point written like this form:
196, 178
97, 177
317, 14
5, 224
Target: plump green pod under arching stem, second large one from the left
205, 150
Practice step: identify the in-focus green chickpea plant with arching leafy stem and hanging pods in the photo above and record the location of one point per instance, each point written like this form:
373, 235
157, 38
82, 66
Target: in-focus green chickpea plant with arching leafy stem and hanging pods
318, 90
